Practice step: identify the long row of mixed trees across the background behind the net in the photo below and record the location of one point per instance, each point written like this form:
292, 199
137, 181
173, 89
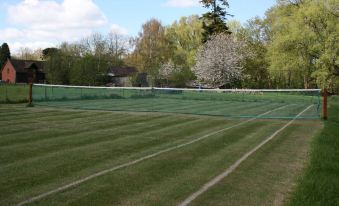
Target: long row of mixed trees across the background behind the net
294, 46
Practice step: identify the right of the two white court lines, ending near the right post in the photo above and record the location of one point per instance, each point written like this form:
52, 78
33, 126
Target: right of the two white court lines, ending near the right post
230, 169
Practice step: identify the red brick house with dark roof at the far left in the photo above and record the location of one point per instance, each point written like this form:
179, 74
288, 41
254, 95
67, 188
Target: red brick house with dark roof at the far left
22, 71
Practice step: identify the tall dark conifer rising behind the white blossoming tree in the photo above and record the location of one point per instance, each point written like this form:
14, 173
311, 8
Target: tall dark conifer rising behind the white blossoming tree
214, 21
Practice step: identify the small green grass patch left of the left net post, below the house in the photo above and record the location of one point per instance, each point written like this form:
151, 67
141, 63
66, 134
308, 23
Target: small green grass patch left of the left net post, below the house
13, 93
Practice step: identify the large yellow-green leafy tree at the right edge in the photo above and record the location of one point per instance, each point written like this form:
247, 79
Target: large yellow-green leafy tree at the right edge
304, 43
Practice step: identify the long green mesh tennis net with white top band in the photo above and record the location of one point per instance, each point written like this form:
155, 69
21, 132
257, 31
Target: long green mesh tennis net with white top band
233, 103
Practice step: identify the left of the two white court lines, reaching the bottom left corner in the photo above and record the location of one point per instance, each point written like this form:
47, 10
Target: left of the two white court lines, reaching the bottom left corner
103, 172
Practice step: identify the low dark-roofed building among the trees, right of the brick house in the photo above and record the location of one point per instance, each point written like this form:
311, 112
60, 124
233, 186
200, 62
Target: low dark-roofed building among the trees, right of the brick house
121, 76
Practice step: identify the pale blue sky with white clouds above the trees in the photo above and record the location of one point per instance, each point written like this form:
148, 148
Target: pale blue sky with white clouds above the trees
46, 23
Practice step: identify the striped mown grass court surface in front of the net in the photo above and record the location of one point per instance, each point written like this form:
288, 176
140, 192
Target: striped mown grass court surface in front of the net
43, 148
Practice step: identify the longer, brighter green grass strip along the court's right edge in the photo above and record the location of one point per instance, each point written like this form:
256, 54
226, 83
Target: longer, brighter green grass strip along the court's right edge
320, 183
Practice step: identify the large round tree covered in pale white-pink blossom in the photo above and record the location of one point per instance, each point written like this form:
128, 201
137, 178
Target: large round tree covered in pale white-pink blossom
219, 61
